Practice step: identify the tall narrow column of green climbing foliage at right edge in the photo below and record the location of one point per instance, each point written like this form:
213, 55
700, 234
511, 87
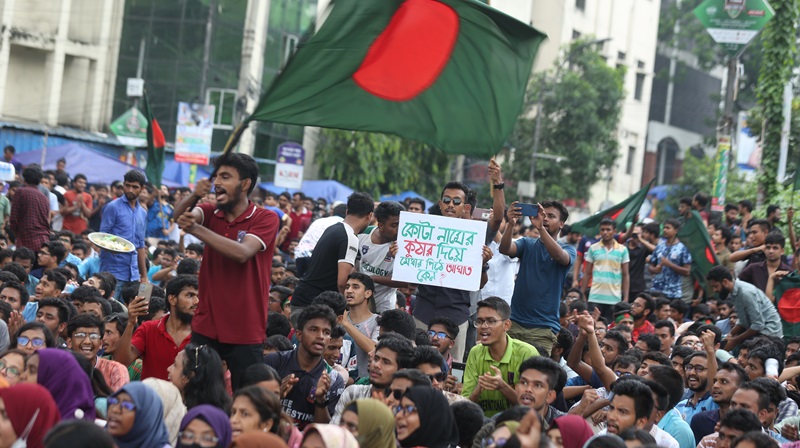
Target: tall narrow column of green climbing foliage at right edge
779, 37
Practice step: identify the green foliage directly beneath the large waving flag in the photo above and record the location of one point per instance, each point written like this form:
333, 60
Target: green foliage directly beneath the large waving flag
379, 163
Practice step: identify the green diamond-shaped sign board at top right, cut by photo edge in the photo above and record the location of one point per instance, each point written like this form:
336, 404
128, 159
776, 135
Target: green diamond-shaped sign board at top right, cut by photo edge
734, 23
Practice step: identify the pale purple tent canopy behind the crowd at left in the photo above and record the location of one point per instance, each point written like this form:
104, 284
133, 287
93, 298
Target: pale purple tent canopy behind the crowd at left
96, 166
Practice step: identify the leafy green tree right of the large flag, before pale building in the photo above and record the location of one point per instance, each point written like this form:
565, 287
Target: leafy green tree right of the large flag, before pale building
581, 101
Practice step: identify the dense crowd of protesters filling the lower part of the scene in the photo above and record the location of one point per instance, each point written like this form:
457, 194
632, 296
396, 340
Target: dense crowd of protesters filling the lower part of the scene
248, 318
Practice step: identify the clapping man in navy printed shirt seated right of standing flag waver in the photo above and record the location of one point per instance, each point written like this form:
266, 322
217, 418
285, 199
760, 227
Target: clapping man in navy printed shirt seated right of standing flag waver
310, 388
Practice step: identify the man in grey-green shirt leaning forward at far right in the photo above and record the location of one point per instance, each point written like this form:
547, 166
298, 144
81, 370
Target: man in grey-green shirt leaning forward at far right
756, 313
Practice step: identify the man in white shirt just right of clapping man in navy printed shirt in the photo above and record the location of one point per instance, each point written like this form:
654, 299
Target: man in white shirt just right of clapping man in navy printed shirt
393, 353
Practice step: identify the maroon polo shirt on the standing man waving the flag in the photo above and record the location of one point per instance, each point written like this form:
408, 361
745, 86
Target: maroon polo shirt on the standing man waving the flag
234, 297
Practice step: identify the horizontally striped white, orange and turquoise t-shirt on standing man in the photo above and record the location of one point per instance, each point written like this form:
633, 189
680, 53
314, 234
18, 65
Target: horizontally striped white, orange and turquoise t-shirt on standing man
607, 271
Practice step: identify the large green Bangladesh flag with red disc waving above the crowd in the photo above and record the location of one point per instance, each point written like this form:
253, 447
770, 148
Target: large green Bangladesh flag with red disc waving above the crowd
449, 73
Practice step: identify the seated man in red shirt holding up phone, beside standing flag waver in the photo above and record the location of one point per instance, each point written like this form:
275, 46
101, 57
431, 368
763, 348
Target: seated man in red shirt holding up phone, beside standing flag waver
158, 342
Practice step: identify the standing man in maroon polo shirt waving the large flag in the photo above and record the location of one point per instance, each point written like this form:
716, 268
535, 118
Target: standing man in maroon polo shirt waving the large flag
237, 263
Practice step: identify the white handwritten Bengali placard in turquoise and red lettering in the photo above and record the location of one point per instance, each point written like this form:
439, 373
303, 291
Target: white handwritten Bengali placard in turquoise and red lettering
439, 251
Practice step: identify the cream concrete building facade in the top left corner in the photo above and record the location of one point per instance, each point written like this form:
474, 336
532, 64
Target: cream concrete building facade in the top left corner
58, 61
